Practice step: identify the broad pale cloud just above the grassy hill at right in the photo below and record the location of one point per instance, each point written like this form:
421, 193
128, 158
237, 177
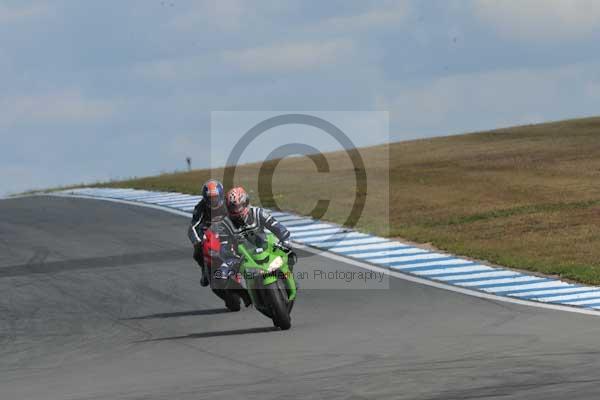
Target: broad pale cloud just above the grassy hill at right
491, 99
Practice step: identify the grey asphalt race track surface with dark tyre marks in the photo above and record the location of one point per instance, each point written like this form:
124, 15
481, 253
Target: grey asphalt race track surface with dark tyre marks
101, 301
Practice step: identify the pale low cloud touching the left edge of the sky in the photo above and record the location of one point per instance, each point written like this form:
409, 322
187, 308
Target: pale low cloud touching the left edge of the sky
62, 106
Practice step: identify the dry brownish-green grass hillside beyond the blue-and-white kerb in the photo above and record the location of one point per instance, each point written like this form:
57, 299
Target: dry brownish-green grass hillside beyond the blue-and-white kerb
525, 197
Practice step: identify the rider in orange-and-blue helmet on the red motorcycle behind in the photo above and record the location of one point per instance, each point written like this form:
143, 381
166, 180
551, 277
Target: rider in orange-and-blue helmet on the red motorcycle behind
210, 209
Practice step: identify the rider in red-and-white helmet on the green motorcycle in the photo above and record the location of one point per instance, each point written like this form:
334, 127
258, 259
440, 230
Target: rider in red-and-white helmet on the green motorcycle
243, 220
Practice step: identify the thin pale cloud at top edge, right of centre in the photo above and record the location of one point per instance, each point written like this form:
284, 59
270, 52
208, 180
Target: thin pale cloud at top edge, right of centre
389, 14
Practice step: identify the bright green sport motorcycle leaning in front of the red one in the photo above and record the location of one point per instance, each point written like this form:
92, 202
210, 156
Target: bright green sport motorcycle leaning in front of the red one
267, 268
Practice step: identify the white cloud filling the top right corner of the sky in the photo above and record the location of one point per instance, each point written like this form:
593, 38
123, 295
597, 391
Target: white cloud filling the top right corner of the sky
540, 19
